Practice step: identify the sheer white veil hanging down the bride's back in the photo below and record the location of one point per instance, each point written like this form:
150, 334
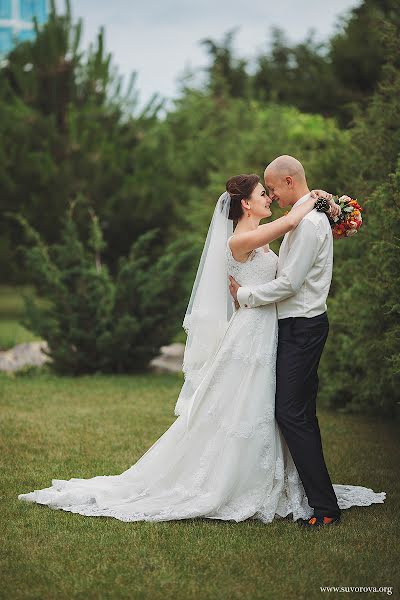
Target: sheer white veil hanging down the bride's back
210, 306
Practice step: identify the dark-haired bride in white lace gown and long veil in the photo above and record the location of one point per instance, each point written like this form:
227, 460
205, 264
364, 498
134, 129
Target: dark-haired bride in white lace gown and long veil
224, 456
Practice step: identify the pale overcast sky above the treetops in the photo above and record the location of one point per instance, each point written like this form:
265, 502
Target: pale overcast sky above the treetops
159, 39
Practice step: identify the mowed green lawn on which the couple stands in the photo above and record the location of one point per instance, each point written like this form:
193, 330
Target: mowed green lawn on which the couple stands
59, 427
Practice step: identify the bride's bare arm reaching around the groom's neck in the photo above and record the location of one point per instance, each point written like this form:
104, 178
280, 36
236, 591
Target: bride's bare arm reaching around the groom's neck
247, 241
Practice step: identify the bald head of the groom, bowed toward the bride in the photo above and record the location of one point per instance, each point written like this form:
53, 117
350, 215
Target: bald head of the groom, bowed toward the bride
286, 180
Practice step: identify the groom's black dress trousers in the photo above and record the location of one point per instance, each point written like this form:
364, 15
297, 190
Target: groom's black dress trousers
300, 345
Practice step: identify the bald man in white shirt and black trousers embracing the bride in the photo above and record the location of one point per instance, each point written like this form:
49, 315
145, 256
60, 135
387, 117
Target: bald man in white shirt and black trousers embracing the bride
300, 290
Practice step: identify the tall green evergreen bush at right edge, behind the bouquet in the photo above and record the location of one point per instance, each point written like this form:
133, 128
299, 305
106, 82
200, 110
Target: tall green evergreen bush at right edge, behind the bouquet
361, 367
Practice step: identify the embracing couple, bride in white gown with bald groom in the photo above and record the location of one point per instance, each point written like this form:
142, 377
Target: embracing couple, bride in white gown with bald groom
246, 443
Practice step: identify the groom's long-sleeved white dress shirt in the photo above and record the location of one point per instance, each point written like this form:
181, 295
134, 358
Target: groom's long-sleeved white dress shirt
304, 272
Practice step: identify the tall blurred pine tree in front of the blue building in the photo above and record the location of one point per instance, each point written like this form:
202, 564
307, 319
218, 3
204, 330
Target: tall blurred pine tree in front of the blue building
69, 130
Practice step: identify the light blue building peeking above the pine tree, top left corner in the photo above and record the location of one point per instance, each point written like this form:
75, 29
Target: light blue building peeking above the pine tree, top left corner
16, 21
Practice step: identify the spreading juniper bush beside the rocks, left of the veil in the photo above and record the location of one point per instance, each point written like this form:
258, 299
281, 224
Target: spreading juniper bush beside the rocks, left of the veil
92, 321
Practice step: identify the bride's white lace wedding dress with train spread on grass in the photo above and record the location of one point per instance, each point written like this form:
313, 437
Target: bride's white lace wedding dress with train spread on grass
231, 462
